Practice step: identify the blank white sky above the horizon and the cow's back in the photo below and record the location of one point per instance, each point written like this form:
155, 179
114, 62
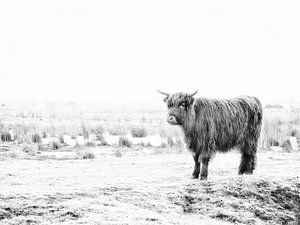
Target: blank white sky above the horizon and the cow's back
125, 50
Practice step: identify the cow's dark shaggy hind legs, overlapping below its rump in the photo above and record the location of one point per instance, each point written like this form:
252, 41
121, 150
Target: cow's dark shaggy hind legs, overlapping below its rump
248, 157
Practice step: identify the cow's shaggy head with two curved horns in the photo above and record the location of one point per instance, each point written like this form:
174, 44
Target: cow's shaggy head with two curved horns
179, 106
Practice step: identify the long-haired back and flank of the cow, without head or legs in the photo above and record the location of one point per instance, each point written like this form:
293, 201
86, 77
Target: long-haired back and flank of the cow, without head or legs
225, 122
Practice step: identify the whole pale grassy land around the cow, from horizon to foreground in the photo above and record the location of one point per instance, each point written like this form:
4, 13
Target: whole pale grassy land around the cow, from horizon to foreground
128, 183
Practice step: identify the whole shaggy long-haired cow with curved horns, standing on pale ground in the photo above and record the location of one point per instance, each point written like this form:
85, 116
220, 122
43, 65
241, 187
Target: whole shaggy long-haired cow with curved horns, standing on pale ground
212, 125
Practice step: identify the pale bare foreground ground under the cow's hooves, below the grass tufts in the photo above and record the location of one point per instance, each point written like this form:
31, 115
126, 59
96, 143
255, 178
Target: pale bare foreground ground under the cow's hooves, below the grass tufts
149, 189
